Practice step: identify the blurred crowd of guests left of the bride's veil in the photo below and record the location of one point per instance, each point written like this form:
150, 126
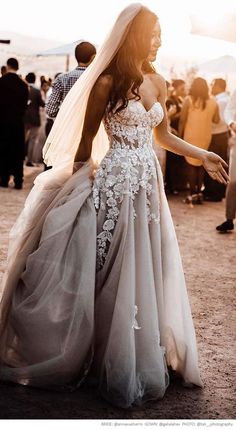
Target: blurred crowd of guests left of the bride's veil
28, 108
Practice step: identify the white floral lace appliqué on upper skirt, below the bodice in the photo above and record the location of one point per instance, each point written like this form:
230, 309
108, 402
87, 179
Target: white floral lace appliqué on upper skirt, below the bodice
119, 175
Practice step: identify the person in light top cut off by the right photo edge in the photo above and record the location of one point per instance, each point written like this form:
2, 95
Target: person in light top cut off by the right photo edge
230, 118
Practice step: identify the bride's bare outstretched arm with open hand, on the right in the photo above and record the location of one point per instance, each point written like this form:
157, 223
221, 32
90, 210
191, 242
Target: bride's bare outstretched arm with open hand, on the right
211, 161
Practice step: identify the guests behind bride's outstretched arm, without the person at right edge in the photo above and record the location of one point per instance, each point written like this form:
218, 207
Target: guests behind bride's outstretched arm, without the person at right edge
196, 114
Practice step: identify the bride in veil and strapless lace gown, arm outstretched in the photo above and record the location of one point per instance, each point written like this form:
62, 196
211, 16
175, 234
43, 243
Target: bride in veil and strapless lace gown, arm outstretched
95, 286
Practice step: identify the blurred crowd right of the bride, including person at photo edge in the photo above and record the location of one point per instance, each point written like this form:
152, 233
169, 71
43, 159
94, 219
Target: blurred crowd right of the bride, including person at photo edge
205, 116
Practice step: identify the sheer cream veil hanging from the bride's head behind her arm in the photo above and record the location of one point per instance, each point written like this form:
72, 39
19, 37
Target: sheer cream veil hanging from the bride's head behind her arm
64, 138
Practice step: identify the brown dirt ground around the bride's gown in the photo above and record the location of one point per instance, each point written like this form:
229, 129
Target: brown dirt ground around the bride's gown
209, 261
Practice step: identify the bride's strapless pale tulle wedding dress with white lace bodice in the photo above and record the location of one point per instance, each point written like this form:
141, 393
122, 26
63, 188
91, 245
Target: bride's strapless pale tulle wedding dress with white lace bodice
103, 291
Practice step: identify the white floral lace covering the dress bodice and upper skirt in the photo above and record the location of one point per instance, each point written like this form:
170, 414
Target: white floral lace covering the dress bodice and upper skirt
128, 167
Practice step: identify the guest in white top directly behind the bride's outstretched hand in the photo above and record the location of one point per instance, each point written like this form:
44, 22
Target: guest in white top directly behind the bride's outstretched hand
214, 191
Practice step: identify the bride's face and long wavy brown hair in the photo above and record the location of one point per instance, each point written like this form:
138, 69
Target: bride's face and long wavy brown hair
123, 68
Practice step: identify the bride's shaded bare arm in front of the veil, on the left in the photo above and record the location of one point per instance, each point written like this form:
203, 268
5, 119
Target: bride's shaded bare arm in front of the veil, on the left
95, 110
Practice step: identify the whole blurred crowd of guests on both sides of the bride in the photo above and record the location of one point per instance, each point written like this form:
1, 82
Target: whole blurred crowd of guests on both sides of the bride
196, 113
